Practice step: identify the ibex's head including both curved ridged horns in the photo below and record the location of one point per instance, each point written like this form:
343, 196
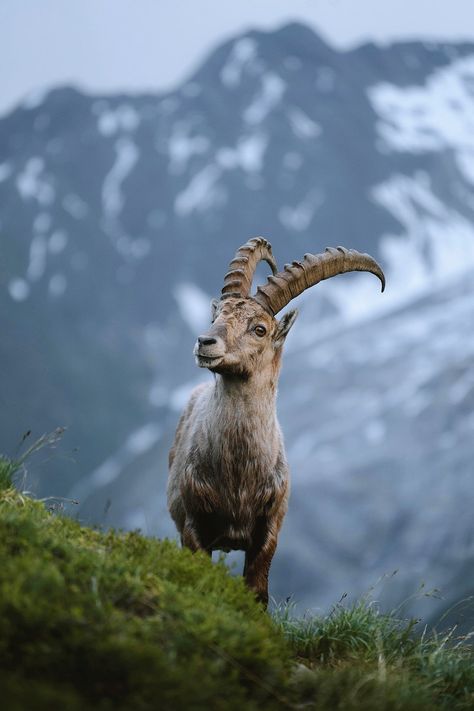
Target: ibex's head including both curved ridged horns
245, 336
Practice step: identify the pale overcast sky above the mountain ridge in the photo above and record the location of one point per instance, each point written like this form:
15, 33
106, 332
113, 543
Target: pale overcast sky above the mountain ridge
111, 45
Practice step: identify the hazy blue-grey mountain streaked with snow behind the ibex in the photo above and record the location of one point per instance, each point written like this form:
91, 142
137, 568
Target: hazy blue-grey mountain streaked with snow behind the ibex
118, 218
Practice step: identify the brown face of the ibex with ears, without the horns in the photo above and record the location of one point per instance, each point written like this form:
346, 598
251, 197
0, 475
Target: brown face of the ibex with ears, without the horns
243, 338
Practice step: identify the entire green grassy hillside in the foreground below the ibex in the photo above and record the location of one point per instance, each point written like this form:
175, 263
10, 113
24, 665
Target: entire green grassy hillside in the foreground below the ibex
111, 620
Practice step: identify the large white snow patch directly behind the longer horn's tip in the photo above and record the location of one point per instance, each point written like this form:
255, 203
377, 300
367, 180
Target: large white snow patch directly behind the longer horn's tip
436, 244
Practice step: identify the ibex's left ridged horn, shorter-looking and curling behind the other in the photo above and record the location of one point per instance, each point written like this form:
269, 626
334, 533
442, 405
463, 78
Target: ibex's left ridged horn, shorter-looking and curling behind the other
238, 280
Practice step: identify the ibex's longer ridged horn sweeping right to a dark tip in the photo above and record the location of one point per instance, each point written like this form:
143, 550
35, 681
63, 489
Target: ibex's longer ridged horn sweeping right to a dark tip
281, 288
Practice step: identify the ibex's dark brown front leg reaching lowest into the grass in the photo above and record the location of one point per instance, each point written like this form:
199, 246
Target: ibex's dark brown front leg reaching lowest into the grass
258, 559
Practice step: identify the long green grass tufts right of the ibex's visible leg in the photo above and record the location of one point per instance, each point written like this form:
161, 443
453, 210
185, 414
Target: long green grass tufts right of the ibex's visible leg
358, 658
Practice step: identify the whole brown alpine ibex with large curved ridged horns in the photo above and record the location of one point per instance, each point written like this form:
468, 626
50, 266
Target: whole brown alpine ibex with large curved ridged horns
229, 480
